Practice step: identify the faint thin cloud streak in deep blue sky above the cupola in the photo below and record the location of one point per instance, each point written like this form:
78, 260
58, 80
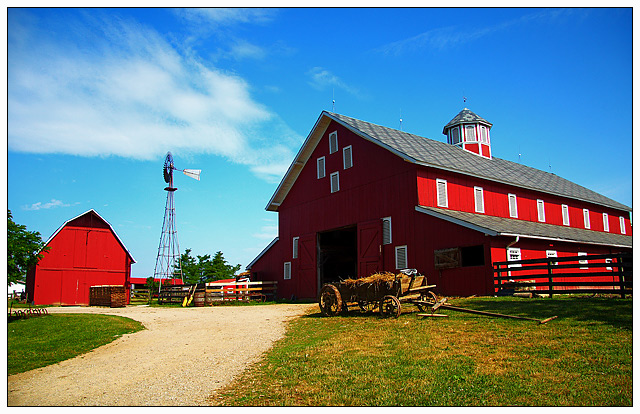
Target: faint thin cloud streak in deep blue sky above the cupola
447, 37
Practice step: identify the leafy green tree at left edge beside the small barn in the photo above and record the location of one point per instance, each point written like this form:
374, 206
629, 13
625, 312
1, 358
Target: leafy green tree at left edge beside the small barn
24, 249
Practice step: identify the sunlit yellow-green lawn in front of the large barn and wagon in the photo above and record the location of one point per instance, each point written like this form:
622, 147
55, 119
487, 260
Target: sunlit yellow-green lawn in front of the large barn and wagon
583, 358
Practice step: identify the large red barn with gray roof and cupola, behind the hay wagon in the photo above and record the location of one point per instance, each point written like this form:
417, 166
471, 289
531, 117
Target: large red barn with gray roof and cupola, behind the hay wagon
361, 197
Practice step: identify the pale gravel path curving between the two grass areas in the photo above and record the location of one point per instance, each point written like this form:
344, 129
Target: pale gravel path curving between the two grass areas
180, 359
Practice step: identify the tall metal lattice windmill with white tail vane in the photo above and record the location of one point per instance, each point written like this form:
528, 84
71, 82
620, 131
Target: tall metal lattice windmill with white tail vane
168, 264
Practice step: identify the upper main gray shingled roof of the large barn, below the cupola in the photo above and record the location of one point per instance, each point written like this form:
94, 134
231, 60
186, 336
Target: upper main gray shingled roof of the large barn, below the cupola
441, 155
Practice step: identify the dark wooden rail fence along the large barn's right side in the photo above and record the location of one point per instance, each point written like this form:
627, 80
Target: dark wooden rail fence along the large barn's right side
606, 273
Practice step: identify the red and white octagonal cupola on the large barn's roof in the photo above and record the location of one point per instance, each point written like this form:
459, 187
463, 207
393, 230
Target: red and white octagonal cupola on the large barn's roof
470, 132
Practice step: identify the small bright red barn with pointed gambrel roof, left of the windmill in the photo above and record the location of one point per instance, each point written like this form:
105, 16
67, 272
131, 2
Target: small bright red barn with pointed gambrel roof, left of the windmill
85, 251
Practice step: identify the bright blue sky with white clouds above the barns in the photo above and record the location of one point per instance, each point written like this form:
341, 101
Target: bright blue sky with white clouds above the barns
96, 97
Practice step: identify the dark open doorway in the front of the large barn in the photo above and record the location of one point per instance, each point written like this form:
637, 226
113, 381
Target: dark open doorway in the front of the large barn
337, 255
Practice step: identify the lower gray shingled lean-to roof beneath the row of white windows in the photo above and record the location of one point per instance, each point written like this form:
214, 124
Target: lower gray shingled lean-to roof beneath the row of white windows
497, 226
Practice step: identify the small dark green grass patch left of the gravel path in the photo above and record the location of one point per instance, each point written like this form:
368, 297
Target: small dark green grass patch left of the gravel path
44, 340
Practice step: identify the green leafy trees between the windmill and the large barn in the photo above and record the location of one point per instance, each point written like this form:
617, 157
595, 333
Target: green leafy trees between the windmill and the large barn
202, 269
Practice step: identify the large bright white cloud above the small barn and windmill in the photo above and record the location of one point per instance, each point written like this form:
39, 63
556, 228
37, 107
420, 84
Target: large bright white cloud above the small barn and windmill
114, 87
